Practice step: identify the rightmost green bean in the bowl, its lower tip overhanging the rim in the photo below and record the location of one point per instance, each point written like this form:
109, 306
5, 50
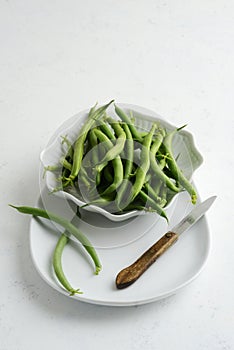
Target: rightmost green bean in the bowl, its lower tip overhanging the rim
176, 171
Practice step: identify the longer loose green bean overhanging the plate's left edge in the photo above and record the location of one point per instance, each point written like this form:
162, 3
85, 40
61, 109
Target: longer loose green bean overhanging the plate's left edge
68, 226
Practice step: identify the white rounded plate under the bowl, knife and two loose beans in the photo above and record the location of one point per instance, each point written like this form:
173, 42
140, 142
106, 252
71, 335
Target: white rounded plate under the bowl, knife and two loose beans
119, 244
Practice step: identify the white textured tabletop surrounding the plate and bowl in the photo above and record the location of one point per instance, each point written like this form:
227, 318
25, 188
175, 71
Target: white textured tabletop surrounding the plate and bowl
59, 57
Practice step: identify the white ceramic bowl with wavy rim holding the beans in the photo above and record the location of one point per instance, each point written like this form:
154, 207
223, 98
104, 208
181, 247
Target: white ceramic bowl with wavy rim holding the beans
183, 145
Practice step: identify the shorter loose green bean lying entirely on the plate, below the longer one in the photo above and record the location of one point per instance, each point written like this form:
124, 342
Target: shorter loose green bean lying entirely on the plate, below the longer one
57, 264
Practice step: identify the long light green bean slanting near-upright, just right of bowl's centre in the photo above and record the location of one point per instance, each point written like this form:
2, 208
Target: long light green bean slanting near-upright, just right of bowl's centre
144, 164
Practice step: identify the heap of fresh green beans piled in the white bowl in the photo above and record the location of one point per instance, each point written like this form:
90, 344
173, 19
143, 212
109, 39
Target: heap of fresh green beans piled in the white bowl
115, 165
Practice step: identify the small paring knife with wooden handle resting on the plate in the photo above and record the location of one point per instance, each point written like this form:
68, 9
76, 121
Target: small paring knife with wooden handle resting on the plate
130, 274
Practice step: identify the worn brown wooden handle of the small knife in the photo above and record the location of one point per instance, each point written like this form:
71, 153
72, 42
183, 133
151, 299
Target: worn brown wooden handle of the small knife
130, 274
